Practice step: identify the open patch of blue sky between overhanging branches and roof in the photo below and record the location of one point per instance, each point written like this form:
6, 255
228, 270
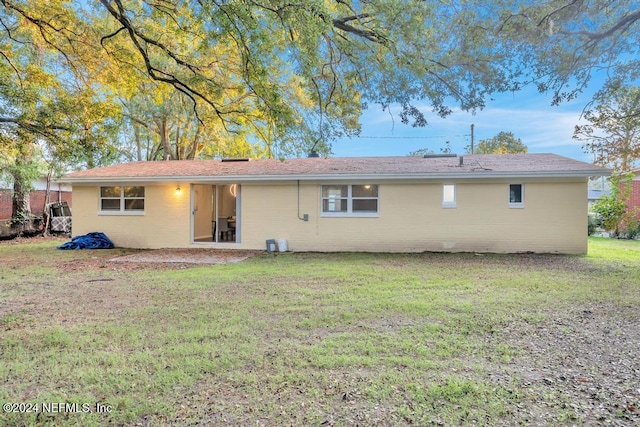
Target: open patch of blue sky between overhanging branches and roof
527, 114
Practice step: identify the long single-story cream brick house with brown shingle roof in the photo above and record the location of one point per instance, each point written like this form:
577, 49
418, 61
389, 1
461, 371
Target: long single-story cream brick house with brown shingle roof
479, 203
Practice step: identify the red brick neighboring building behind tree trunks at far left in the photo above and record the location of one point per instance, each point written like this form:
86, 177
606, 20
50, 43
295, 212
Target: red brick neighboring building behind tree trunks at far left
59, 192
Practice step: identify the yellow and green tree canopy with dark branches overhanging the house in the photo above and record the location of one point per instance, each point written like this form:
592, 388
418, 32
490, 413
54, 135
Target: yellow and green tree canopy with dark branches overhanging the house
281, 77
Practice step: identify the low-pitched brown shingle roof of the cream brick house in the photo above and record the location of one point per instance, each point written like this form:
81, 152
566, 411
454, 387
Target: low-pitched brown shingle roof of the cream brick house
474, 166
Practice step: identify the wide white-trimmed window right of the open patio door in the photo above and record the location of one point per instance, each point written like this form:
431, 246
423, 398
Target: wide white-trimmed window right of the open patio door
350, 200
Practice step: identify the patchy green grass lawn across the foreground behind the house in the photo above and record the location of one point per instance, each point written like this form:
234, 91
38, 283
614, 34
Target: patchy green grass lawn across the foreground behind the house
314, 339
